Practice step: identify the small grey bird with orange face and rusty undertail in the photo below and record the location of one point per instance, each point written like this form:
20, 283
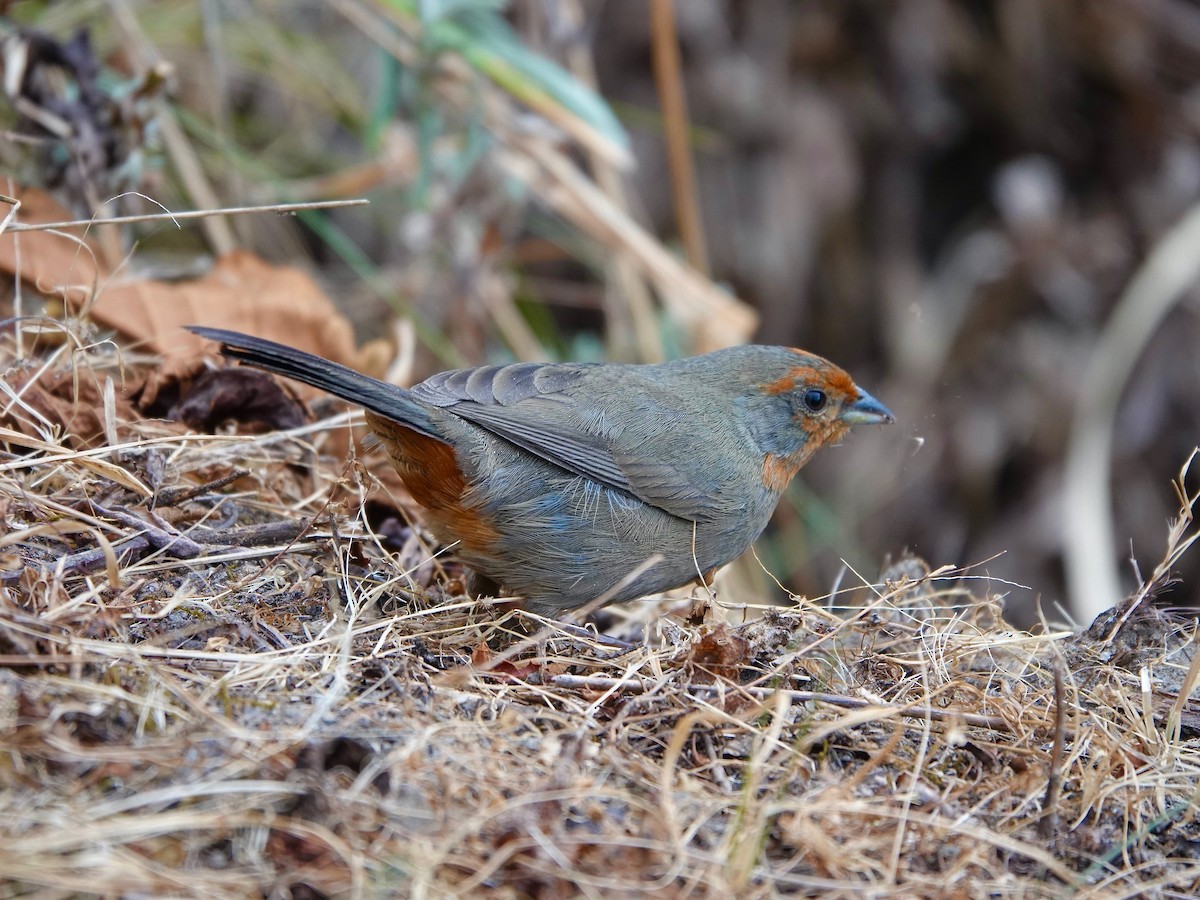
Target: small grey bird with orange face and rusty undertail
571, 484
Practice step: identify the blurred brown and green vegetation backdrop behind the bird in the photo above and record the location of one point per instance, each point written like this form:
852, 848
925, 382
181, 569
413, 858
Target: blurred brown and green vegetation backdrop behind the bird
949, 199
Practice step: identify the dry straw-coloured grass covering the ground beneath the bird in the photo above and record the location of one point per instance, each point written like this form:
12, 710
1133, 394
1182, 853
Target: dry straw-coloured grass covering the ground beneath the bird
232, 688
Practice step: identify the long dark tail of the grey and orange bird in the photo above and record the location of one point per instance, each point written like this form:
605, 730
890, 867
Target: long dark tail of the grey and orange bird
381, 398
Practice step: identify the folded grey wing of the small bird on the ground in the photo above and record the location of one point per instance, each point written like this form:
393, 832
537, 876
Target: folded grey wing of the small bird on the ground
549, 411
